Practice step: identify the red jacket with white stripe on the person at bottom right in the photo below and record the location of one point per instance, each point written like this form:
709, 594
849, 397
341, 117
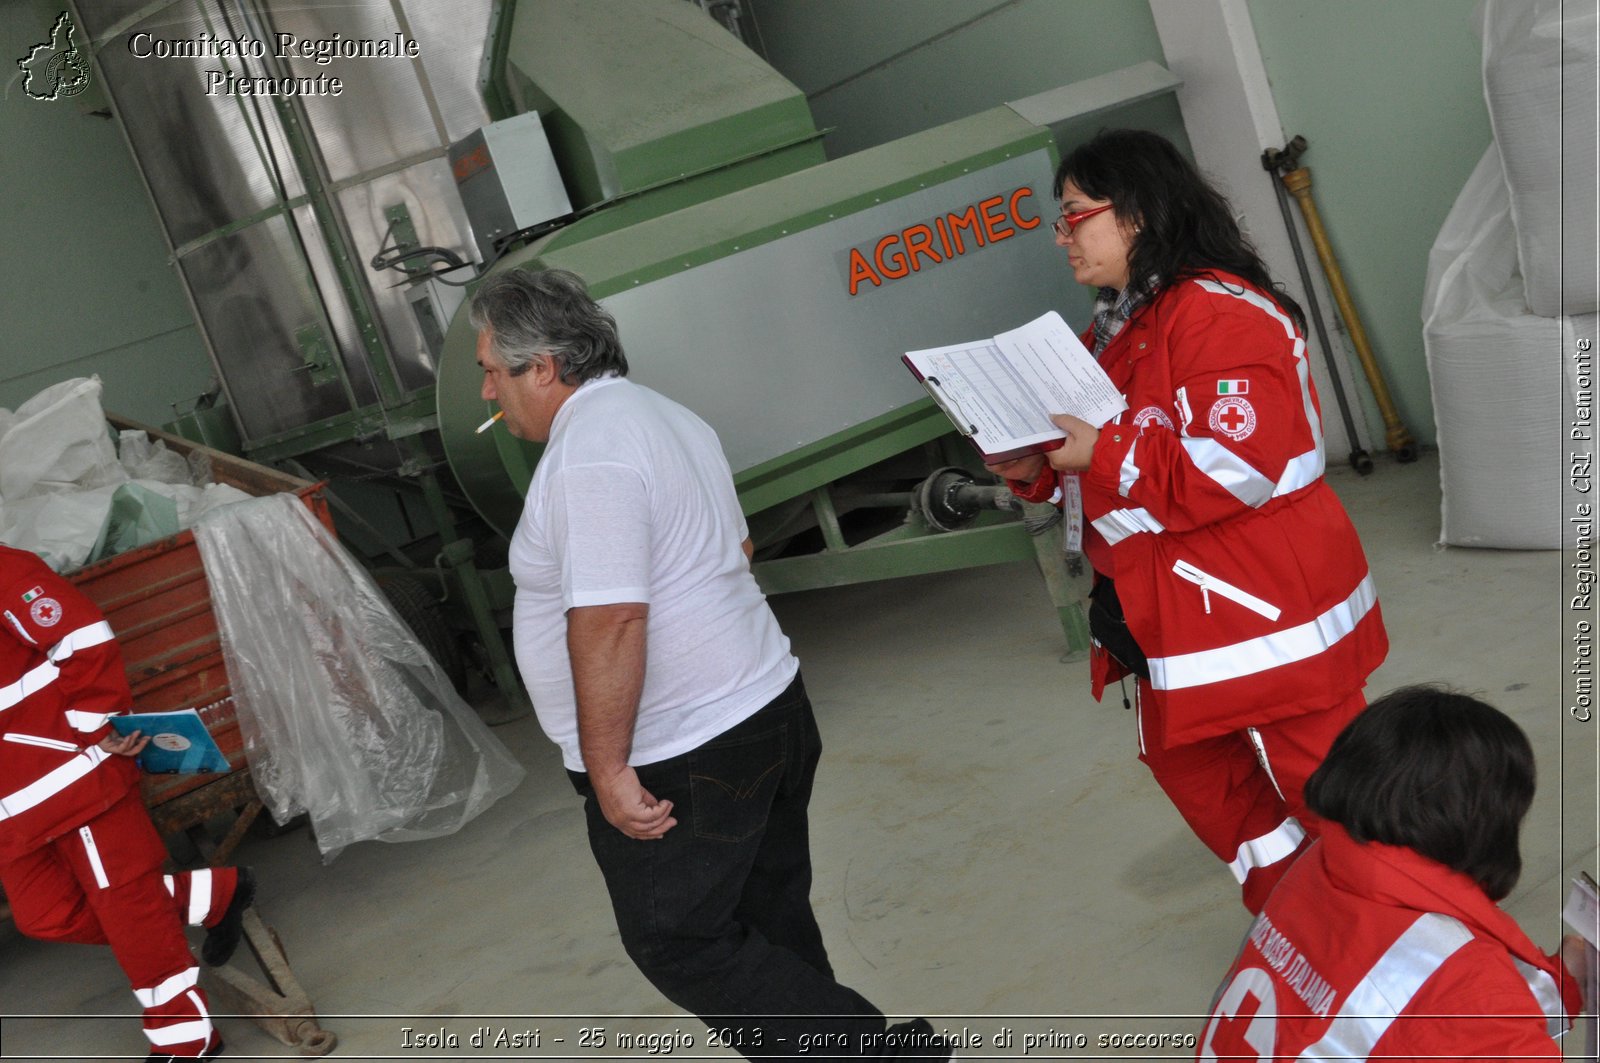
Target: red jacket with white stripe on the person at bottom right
1359, 942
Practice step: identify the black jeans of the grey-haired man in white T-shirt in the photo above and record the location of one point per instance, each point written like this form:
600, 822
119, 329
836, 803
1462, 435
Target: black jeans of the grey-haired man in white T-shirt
718, 913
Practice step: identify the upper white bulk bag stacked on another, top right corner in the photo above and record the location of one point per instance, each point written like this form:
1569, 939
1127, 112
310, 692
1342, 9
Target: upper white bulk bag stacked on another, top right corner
1540, 81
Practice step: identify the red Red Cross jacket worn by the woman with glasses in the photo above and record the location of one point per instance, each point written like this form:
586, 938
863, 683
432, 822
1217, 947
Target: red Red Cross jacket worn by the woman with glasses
1239, 572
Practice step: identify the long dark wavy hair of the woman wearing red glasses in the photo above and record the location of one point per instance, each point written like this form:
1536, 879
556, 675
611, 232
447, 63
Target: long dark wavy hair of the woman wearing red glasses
1186, 227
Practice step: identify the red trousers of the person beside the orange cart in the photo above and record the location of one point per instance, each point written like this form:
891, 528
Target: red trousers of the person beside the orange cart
103, 884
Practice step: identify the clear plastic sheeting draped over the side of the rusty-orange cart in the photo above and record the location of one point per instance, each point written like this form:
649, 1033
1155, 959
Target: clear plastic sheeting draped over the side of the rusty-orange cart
343, 713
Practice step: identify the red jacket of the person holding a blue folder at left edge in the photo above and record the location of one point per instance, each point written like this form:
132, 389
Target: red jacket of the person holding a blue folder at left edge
62, 676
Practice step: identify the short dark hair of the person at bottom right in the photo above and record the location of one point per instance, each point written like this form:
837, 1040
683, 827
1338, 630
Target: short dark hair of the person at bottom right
1438, 772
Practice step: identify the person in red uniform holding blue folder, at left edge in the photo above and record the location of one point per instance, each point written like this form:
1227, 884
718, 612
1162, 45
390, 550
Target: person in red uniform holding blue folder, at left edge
79, 856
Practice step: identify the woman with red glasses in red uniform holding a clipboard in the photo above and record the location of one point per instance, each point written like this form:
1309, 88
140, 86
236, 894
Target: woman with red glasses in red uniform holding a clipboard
1228, 577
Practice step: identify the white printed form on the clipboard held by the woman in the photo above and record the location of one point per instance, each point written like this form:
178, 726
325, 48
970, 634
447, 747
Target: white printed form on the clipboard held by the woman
1002, 391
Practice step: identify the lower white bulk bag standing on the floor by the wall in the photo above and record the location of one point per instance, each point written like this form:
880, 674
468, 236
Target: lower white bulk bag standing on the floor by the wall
1500, 382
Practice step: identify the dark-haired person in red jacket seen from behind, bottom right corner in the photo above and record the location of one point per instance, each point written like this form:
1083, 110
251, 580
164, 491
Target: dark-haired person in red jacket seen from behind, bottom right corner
1385, 941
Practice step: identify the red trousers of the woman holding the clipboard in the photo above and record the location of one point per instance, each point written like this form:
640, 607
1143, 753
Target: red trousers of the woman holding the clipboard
1244, 793
